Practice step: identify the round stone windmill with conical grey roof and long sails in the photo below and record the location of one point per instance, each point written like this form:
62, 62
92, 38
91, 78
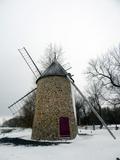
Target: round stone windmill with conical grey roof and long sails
54, 112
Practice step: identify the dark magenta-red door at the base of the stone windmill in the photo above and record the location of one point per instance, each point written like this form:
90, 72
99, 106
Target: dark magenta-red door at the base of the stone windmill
64, 127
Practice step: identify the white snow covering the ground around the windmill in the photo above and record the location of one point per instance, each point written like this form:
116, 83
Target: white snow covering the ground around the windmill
90, 145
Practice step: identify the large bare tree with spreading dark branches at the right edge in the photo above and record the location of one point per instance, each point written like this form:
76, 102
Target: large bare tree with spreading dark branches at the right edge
106, 72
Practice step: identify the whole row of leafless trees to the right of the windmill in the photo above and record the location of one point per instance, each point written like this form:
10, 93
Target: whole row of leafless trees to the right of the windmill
103, 75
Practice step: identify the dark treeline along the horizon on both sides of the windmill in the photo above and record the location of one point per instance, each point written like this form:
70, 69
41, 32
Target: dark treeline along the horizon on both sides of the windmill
84, 116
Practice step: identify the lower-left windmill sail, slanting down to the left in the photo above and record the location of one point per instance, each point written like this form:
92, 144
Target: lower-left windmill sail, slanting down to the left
17, 106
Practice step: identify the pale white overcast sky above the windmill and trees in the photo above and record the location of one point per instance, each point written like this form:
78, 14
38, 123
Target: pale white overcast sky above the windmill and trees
84, 28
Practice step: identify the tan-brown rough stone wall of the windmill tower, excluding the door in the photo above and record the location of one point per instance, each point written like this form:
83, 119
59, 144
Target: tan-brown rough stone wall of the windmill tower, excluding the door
53, 100
